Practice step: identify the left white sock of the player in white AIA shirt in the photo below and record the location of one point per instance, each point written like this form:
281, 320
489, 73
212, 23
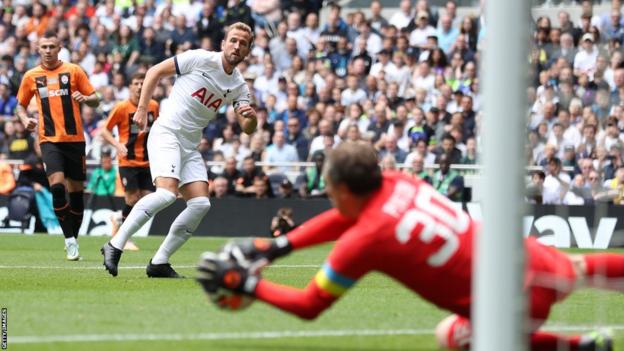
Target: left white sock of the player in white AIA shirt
142, 211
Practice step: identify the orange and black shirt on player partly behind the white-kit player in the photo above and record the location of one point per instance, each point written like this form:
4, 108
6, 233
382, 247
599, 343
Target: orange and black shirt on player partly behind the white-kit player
130, 135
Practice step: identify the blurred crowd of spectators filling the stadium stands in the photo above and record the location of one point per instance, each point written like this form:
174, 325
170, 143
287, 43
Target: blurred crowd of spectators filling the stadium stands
407, 83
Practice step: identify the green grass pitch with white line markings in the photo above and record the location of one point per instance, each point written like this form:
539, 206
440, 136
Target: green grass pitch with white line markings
49, 298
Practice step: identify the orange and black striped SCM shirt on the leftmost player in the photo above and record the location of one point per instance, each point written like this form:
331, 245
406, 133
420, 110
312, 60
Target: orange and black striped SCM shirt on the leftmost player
59, 114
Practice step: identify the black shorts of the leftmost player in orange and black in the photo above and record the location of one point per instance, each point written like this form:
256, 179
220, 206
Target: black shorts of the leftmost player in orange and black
68, 158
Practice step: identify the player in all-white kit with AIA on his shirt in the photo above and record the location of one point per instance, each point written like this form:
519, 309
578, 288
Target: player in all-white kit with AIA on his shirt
205, 81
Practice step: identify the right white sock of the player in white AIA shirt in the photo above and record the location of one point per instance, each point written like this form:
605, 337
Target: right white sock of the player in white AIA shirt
182, 228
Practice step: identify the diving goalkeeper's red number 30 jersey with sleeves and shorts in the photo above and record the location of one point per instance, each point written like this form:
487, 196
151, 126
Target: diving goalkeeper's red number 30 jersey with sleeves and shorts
413, 234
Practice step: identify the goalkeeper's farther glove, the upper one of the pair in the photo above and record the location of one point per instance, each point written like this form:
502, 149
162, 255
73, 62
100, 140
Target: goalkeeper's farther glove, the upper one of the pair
255, 253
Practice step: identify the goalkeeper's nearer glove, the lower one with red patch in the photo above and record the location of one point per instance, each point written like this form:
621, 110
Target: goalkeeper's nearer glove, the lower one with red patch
218, 271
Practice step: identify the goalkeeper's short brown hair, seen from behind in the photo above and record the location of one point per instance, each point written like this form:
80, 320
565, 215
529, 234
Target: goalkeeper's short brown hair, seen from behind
354, 165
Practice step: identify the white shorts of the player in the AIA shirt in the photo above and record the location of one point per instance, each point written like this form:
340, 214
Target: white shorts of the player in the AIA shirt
169, 157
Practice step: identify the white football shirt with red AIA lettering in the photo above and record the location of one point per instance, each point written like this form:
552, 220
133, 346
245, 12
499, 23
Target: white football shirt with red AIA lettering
199, 91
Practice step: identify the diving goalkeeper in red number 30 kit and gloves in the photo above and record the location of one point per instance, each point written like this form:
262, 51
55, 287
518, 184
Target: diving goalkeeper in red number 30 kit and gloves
402, 227
